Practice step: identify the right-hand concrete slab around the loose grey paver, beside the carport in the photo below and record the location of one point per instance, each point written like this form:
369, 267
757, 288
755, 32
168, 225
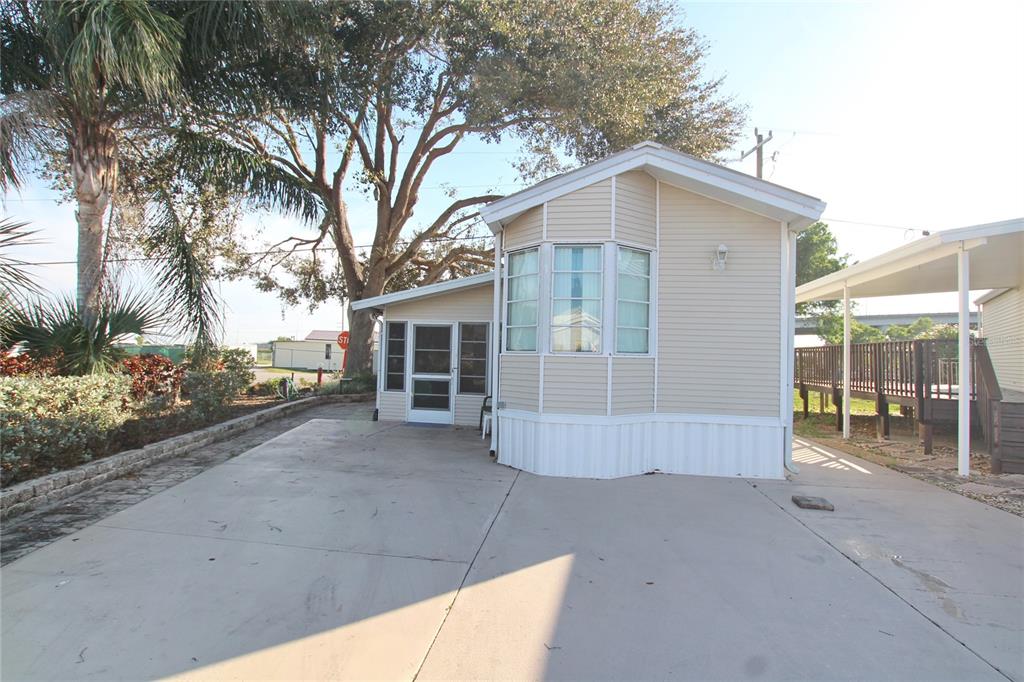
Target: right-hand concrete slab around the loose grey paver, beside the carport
956, 561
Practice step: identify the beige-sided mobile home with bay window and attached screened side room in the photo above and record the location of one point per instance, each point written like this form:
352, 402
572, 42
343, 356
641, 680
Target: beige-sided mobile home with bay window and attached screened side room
645, 324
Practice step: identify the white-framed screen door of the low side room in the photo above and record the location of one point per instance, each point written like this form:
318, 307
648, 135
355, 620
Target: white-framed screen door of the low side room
431, 398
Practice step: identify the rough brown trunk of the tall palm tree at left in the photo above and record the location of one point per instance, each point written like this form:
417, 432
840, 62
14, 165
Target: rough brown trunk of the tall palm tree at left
95, 168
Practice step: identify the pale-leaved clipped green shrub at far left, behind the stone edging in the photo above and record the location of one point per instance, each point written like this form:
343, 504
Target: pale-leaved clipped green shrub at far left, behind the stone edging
52, 423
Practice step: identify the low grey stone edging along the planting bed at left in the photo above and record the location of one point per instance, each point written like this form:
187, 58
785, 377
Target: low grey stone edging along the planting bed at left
34, 494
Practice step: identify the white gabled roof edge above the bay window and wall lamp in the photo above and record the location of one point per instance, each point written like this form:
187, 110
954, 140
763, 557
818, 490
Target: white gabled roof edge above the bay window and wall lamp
675, 168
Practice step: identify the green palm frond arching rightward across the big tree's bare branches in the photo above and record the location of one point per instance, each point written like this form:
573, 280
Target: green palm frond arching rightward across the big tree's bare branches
210, 161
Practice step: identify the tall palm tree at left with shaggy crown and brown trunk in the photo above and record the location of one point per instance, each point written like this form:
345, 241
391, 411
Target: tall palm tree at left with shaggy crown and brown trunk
77, 76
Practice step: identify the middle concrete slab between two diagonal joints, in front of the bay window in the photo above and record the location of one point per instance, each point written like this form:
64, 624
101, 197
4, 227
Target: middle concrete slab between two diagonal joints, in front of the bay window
676, 577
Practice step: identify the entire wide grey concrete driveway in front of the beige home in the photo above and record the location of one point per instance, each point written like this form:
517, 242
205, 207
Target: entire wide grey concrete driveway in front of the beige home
351, 549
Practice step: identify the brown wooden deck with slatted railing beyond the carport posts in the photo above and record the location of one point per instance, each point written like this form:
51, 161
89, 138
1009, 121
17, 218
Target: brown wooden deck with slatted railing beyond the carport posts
922, 377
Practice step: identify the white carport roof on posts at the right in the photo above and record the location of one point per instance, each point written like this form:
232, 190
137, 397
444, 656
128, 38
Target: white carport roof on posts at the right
929, 266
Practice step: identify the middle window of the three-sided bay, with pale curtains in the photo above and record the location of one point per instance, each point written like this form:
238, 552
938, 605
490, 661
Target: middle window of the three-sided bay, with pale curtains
576, 312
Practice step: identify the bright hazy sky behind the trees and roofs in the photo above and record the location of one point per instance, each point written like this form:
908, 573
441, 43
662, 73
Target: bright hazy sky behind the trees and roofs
903, 117
